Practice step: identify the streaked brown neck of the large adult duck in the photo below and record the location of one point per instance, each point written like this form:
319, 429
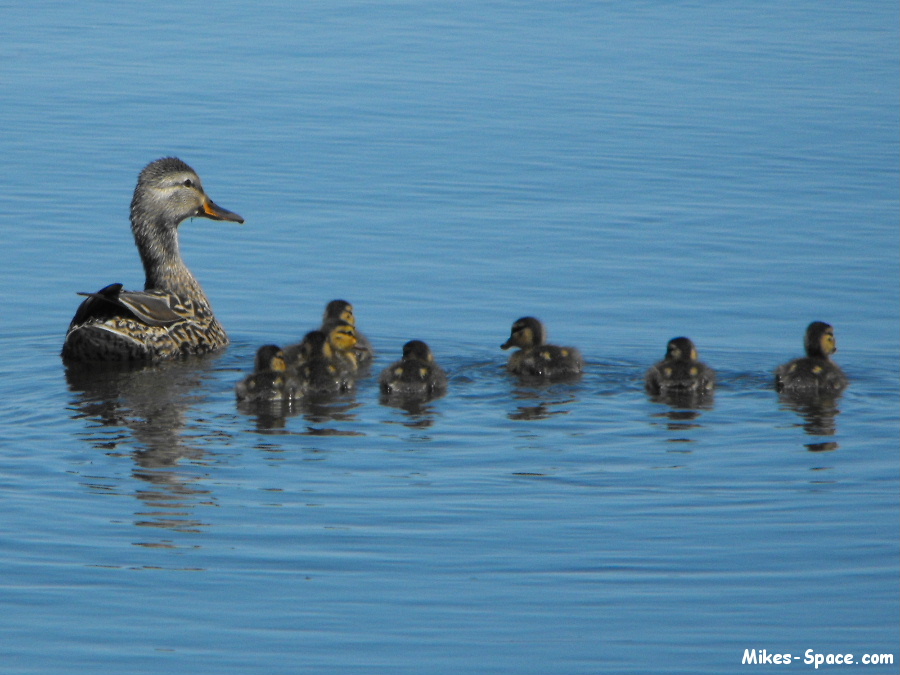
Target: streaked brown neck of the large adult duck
157, 242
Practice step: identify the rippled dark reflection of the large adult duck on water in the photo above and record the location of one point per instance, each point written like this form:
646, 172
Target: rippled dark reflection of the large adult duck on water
144, 408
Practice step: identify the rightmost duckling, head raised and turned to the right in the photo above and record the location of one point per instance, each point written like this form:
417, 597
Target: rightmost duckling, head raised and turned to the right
815, 373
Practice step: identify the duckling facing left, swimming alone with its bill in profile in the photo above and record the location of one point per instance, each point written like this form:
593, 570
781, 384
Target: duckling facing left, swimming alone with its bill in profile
535, 357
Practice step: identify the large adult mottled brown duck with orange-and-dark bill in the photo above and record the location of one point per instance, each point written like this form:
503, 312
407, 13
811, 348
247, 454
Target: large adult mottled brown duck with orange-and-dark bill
172, 315
